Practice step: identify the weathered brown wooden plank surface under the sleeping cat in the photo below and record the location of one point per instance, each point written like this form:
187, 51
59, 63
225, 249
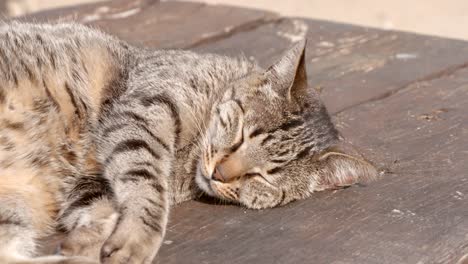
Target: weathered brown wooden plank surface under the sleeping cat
403, 98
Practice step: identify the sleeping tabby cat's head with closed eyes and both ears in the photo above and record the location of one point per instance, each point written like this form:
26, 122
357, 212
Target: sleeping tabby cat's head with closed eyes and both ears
271, 140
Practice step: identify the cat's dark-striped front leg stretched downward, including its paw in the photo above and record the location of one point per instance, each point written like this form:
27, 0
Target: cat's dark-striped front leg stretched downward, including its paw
137, 150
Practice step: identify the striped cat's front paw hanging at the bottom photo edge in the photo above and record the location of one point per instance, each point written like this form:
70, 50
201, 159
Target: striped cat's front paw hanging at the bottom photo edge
130, 243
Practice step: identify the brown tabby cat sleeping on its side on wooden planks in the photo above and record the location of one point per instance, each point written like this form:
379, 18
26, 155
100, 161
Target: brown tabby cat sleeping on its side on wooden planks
99, 138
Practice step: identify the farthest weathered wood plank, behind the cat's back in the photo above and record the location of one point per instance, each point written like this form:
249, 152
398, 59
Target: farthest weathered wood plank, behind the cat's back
158, 24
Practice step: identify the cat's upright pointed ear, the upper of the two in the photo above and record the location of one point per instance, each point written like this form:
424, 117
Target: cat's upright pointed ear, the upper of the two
288, 74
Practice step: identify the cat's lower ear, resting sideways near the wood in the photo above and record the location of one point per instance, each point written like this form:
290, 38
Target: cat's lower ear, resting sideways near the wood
338, 169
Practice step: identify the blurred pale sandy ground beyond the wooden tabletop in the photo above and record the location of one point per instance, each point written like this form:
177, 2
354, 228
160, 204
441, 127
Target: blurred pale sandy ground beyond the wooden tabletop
447, 18
